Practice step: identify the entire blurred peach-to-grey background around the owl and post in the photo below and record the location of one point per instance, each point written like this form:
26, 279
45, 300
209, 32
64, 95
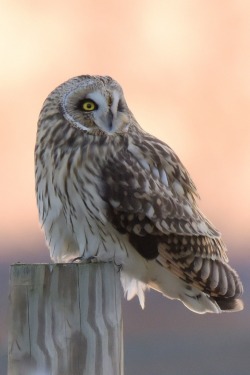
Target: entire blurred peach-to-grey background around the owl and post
185, 70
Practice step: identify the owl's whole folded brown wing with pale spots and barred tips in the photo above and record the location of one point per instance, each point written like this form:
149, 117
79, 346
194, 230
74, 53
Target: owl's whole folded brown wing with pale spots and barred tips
151, 197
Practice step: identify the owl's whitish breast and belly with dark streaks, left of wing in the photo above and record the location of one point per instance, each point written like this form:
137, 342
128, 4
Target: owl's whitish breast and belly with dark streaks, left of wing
72, 211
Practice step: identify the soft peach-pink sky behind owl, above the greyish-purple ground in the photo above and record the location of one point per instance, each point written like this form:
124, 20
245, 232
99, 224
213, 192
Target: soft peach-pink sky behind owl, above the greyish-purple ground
184, 68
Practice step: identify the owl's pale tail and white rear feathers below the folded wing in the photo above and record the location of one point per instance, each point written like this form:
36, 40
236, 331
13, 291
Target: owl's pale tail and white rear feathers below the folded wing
171, 286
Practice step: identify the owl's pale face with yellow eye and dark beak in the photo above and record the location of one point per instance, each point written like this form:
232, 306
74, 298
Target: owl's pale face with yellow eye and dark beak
93, 104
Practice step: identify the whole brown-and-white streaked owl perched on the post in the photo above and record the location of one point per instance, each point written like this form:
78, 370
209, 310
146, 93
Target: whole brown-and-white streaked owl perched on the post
108, 191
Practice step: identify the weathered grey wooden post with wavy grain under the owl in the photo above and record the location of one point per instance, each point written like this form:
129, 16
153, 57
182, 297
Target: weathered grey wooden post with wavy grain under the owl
65, 319
